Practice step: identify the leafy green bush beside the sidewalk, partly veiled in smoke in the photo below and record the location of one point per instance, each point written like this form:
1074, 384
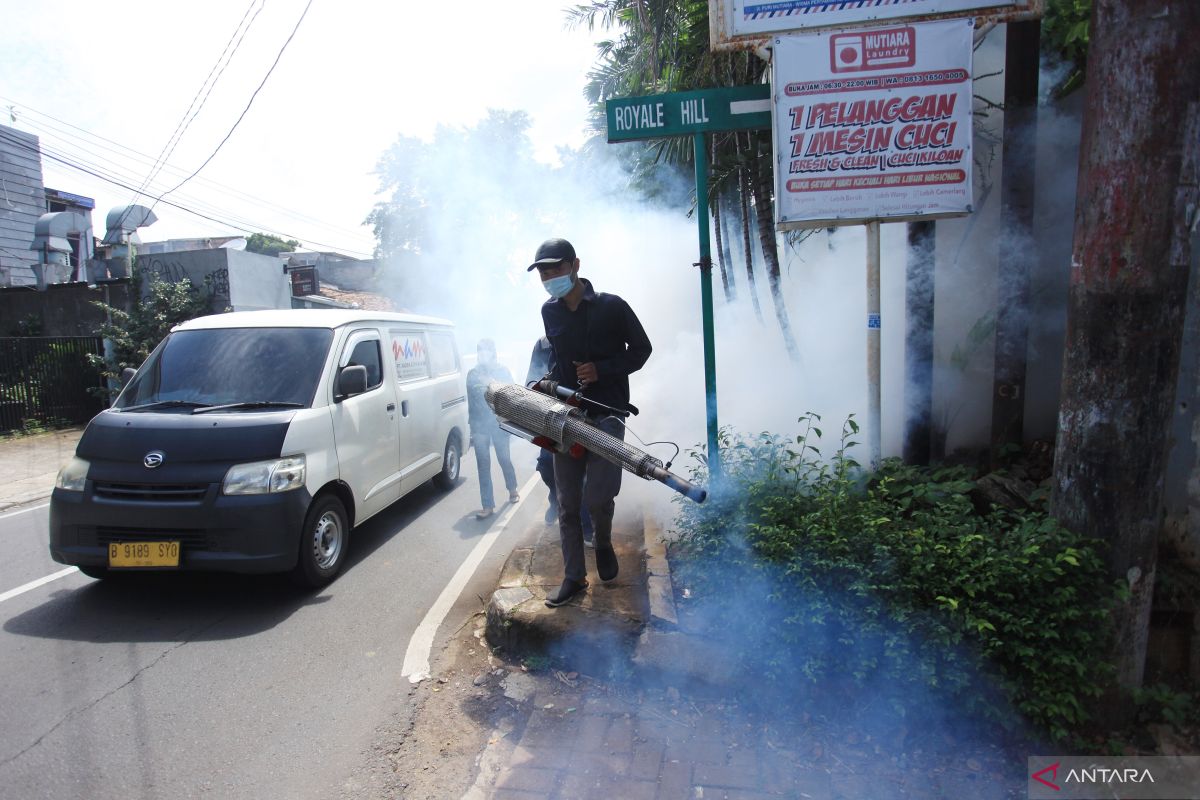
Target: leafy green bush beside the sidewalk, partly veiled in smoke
893, 580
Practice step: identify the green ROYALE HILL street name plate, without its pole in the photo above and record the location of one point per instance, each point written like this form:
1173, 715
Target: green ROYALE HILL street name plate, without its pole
682, 113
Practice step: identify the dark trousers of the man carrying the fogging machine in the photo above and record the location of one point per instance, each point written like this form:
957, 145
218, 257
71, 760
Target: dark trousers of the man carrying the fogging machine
589, 484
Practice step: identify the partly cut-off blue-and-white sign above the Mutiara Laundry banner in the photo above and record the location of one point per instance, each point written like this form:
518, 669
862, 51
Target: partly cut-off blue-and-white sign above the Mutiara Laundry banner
754, 23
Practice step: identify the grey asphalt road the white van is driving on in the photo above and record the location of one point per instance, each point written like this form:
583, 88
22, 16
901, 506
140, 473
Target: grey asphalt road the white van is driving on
176, 685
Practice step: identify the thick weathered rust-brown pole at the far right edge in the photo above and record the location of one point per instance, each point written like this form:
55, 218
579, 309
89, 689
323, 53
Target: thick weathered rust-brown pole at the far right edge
1137, 202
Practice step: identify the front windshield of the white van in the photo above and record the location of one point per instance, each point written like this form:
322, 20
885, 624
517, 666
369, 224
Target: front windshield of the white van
255, 366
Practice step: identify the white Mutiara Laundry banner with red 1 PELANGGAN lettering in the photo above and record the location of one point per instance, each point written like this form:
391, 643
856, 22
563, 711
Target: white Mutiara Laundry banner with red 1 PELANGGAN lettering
873, 124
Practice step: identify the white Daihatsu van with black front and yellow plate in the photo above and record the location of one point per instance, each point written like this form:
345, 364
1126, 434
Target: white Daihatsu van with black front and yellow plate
255, 442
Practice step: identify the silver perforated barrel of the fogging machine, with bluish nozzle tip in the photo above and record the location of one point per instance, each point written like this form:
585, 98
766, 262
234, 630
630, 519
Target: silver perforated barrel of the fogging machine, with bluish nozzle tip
542, 416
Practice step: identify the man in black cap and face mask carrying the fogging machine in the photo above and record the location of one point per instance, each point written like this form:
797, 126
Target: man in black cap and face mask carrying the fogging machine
597, 342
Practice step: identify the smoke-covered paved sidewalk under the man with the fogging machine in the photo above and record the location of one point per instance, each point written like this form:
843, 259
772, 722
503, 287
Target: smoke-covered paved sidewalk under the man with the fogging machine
613, 696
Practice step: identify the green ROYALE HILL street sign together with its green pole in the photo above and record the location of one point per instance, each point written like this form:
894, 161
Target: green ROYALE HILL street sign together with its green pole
695, 113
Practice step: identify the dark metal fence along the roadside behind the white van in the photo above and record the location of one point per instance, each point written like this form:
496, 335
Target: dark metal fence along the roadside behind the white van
47, 381
